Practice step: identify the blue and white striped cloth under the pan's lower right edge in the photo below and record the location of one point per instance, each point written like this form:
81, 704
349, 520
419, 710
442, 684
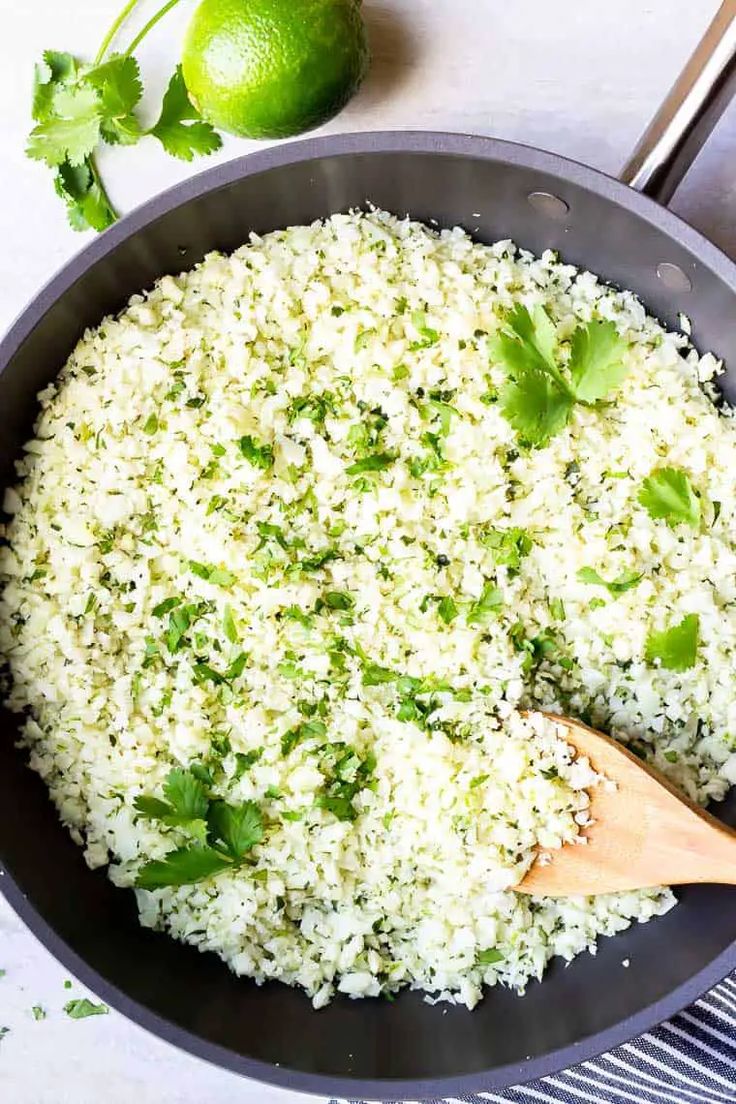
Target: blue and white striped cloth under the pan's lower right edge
690, 1060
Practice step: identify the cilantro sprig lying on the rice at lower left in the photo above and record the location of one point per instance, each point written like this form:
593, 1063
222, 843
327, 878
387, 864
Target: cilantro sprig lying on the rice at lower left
222, 834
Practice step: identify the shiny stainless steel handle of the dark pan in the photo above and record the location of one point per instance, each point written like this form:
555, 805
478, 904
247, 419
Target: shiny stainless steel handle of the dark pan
692, 109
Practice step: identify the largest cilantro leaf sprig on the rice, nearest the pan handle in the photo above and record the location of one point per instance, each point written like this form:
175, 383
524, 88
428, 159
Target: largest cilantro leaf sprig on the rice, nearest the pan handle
540, 394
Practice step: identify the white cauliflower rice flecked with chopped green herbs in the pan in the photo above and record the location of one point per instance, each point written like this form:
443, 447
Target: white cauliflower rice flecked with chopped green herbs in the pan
273, 524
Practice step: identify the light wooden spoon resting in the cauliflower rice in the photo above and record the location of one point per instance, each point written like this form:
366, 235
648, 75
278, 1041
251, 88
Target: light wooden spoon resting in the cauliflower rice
645, 833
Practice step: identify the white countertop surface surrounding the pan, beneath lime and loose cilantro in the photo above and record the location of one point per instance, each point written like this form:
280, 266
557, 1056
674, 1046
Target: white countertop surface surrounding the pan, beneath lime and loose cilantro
581, 78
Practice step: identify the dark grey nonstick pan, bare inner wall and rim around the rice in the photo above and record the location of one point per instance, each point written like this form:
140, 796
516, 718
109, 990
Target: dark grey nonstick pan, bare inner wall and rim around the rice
374, 1049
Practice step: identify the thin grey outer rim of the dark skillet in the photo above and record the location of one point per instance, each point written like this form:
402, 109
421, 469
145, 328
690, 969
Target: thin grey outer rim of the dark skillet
212, 181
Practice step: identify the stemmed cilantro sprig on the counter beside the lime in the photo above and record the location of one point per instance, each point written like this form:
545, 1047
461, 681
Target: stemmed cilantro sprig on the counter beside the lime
78, 108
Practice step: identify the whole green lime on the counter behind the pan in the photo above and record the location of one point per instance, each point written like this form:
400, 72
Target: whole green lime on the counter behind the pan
270, 69
